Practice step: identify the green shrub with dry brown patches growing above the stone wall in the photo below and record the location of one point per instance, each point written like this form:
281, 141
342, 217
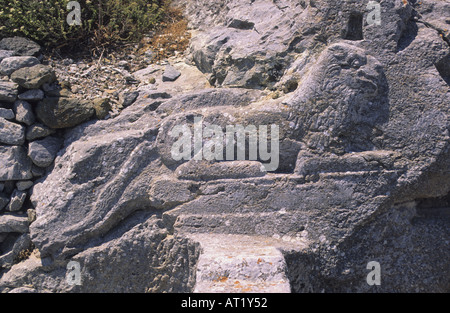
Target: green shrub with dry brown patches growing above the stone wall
104, 22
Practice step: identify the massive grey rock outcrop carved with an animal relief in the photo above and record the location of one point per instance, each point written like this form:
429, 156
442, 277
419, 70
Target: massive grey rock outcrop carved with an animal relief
364, 161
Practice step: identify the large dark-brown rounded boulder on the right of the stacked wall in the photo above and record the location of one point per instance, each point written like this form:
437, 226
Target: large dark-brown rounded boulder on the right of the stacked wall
64, 112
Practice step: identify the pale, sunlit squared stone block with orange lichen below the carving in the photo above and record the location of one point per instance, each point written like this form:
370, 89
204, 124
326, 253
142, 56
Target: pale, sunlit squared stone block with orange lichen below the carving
240, 264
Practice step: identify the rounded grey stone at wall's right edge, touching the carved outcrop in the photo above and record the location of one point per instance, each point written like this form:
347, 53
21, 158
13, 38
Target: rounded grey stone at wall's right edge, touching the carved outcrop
43, 152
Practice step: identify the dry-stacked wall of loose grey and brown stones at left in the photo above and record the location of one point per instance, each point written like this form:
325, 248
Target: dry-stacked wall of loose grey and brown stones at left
32, 108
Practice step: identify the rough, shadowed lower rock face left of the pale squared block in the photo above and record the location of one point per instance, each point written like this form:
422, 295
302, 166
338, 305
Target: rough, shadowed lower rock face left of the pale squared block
169, 266
